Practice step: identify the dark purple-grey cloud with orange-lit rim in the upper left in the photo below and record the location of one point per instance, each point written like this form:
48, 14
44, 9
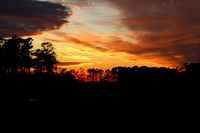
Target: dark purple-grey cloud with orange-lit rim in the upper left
31, 17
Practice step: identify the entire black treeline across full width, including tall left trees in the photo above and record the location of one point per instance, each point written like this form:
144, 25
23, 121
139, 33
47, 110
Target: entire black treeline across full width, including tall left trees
19, 61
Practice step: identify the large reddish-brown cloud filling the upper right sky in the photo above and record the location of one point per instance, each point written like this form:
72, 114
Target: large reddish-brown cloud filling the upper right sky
167, 32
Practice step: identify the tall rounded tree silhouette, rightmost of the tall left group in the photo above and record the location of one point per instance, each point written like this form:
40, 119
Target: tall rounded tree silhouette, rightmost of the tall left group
45, 59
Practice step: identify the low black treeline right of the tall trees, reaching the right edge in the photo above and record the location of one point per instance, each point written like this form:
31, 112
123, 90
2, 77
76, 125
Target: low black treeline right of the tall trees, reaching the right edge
138, 74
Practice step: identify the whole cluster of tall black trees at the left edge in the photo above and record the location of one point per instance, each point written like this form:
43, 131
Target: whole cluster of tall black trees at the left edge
17, 56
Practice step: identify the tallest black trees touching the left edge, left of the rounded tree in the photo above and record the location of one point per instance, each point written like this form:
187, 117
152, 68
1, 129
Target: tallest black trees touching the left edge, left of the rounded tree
15, 54
